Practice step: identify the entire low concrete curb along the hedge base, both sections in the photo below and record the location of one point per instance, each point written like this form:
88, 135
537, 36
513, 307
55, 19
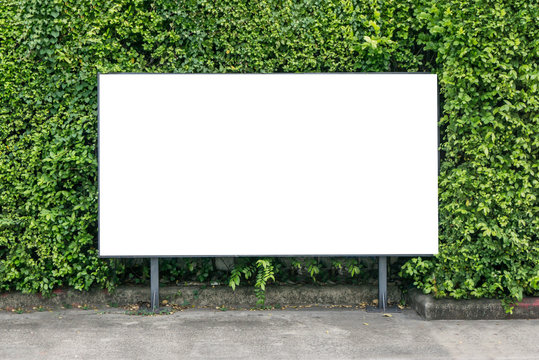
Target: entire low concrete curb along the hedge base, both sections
278, 295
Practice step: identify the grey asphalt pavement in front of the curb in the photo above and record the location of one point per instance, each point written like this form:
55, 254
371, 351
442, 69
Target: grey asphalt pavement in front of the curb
271, 334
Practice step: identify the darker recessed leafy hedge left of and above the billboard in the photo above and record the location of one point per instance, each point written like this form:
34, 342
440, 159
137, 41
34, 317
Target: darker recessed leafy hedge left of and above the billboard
51, 52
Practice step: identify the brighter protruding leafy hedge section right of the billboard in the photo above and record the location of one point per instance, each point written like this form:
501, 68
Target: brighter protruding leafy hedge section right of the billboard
487, 55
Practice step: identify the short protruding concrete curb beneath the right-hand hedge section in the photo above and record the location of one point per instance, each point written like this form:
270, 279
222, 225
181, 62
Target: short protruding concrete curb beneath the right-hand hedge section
475, 309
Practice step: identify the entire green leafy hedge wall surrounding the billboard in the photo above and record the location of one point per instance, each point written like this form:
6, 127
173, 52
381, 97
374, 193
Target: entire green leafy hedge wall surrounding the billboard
484, 52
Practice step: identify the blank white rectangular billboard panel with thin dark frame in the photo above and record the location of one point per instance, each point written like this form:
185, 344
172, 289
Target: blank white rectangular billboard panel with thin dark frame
268, 164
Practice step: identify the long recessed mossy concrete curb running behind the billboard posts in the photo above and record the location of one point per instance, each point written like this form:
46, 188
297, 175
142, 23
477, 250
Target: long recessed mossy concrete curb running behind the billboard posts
204, 296
